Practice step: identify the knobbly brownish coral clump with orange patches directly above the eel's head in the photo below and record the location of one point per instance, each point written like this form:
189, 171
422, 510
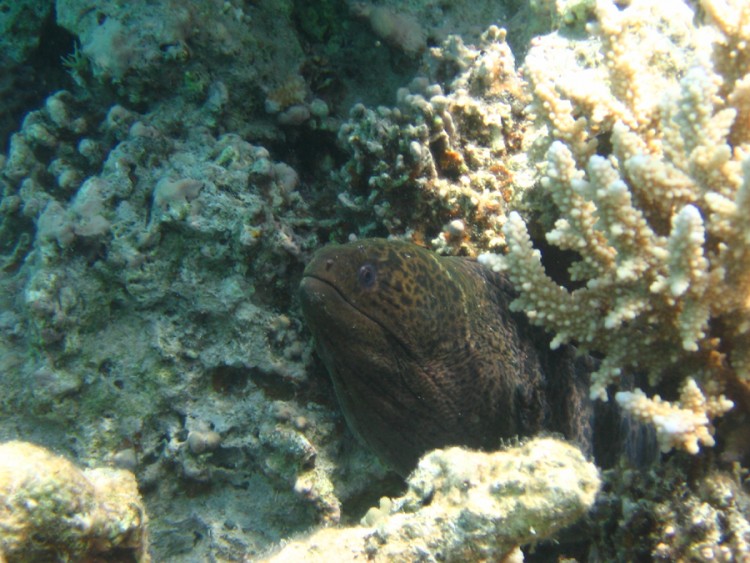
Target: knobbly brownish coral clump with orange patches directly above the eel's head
447, 155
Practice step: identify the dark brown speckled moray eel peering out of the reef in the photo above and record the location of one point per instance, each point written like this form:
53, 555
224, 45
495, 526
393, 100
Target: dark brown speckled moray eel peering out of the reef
424, 352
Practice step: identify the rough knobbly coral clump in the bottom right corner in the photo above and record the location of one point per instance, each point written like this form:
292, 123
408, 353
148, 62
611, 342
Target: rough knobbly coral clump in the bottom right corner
675, 511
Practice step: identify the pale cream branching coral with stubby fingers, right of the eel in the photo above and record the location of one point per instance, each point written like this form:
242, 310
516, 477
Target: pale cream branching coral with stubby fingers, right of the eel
650, 175
